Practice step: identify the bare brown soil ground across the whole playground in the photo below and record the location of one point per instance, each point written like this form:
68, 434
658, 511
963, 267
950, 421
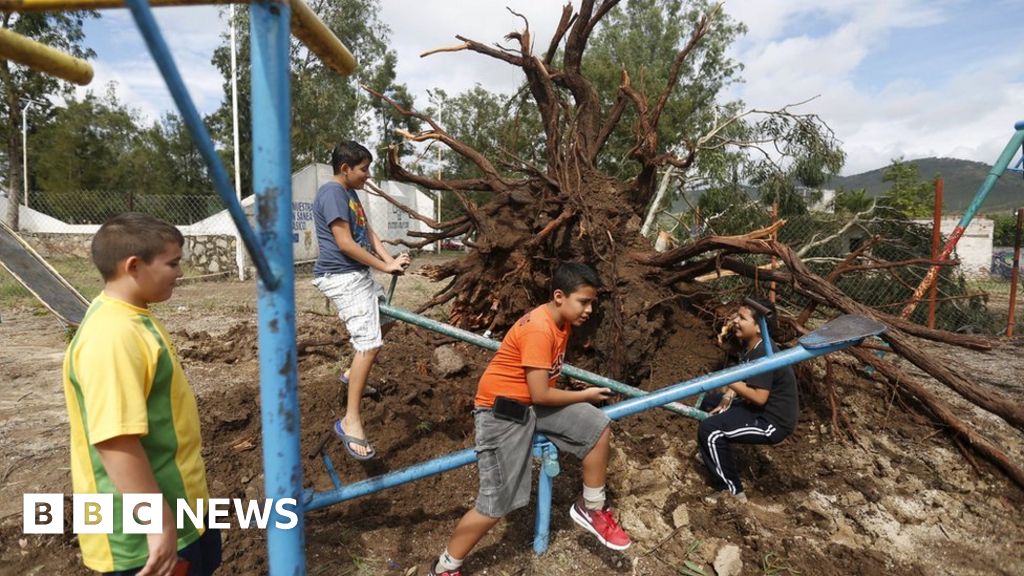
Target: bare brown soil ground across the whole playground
889, 495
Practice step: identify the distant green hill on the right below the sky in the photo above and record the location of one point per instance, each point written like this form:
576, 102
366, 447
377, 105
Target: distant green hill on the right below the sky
962, 179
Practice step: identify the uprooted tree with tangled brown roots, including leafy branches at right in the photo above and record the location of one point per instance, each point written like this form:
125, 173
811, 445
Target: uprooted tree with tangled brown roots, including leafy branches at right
569, 208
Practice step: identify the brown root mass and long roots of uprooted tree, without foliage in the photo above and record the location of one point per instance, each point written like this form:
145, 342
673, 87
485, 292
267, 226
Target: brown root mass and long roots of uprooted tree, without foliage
569, 211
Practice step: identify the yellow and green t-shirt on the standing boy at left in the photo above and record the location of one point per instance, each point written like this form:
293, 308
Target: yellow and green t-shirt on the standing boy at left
122, 378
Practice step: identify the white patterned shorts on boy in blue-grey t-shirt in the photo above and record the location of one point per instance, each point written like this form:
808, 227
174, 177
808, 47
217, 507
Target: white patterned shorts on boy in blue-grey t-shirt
357, 297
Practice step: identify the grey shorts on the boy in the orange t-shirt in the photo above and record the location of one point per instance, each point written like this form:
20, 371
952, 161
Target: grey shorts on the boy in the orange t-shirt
503, 449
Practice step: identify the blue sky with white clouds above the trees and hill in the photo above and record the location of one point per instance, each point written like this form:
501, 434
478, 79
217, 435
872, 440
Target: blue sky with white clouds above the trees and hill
911, 78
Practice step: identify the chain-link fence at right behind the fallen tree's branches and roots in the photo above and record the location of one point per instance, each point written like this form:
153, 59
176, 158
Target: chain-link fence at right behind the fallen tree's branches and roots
895, 256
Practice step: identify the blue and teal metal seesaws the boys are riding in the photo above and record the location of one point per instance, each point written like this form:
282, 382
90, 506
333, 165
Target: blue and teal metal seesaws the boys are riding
842, 333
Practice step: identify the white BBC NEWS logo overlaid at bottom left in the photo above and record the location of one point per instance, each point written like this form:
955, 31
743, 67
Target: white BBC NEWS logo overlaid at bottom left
144, 514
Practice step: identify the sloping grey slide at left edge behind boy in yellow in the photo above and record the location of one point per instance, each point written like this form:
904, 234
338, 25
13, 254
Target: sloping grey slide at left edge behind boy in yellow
39, 278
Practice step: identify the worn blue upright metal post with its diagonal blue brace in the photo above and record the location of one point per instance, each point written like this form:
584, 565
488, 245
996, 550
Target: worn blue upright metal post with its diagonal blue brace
271, 252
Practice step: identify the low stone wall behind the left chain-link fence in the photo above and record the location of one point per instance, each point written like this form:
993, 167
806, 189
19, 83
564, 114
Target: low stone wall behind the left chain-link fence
203, 255
